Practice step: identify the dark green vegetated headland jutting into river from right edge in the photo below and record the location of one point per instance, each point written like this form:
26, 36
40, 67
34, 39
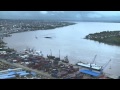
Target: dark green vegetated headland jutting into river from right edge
108, 37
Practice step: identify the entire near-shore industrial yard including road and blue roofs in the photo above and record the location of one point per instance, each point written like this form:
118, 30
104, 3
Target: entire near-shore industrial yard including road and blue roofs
31, 61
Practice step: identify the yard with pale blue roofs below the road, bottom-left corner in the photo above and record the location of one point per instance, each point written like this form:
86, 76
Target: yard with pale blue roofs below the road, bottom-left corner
9, 71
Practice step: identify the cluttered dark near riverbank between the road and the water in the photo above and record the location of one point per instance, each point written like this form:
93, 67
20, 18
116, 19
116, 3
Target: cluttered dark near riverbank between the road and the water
49, 67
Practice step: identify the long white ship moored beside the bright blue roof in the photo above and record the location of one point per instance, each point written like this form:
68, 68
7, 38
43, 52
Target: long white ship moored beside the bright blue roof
89, 65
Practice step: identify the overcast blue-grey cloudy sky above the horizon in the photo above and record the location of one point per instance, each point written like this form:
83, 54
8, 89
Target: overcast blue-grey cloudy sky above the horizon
61, 15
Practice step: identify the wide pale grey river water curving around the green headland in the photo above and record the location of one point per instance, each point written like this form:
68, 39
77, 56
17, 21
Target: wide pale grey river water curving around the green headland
69, 40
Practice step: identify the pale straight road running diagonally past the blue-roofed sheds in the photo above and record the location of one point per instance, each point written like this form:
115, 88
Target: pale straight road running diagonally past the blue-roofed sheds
26, 68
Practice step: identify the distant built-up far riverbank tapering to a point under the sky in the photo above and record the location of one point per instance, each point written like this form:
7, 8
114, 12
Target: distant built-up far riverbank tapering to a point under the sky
15, 26
